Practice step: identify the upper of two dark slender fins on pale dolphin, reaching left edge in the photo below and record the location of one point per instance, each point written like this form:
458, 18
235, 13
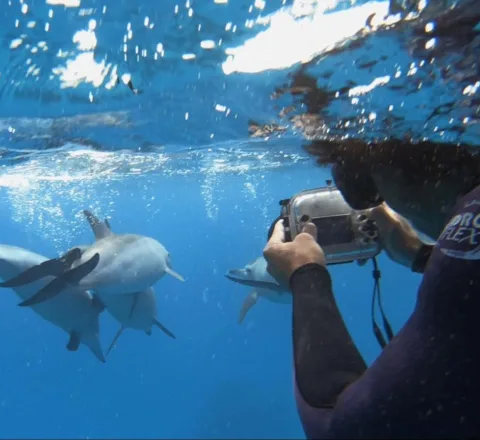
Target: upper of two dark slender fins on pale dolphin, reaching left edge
54, 267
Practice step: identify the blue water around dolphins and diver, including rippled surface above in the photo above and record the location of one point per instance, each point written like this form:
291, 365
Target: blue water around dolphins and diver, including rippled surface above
169, 164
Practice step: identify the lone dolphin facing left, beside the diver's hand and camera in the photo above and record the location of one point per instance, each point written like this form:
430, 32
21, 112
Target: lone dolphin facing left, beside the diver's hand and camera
264, 285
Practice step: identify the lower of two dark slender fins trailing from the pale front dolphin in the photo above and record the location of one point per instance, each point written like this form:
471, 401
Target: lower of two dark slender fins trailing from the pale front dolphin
56, 286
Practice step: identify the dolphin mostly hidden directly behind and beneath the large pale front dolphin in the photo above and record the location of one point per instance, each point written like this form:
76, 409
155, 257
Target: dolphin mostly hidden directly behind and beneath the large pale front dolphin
136, 310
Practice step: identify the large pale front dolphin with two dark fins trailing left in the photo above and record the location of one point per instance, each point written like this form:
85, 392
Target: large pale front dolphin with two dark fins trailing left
116, 264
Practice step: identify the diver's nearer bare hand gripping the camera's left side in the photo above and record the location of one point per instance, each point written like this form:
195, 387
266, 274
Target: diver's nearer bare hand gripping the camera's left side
284, 258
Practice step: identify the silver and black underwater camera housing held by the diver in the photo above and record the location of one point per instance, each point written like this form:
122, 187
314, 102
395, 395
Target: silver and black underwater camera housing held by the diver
345, 234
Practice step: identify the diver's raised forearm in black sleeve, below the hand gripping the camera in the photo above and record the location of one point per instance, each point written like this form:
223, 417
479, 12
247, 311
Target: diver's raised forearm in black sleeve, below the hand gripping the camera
326, 360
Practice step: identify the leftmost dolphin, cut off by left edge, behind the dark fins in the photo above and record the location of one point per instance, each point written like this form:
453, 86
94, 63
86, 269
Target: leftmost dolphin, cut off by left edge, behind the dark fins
76, 312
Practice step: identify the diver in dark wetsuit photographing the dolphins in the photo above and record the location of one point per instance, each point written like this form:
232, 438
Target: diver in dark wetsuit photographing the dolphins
426, 382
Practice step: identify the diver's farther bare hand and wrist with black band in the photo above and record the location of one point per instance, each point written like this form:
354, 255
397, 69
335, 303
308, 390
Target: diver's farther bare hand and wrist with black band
400, 240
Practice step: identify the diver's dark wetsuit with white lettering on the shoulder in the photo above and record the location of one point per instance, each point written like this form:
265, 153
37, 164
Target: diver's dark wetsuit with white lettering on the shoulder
426, 382
